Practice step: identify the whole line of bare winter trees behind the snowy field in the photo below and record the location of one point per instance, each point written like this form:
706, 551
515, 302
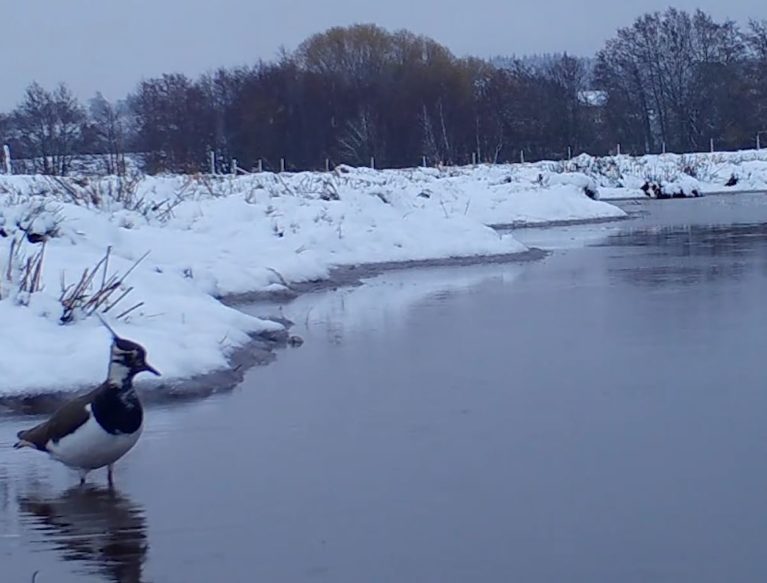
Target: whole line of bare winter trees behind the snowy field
360, 94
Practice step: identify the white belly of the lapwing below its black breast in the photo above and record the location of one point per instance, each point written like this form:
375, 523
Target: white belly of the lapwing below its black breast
90, 447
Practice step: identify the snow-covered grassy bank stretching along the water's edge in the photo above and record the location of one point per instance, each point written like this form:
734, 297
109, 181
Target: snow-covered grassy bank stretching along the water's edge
159, 250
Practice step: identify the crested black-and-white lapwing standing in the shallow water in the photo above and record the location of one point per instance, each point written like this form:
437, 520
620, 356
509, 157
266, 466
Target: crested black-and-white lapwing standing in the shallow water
99, 427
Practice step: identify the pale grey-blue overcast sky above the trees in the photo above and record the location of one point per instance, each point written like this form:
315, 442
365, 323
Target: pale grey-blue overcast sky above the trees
109, 45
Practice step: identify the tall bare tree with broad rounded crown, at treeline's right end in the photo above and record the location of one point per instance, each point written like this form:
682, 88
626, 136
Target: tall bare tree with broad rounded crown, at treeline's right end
662, 72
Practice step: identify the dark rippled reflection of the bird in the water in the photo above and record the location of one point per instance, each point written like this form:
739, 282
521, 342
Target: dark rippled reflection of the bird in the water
95, 526
